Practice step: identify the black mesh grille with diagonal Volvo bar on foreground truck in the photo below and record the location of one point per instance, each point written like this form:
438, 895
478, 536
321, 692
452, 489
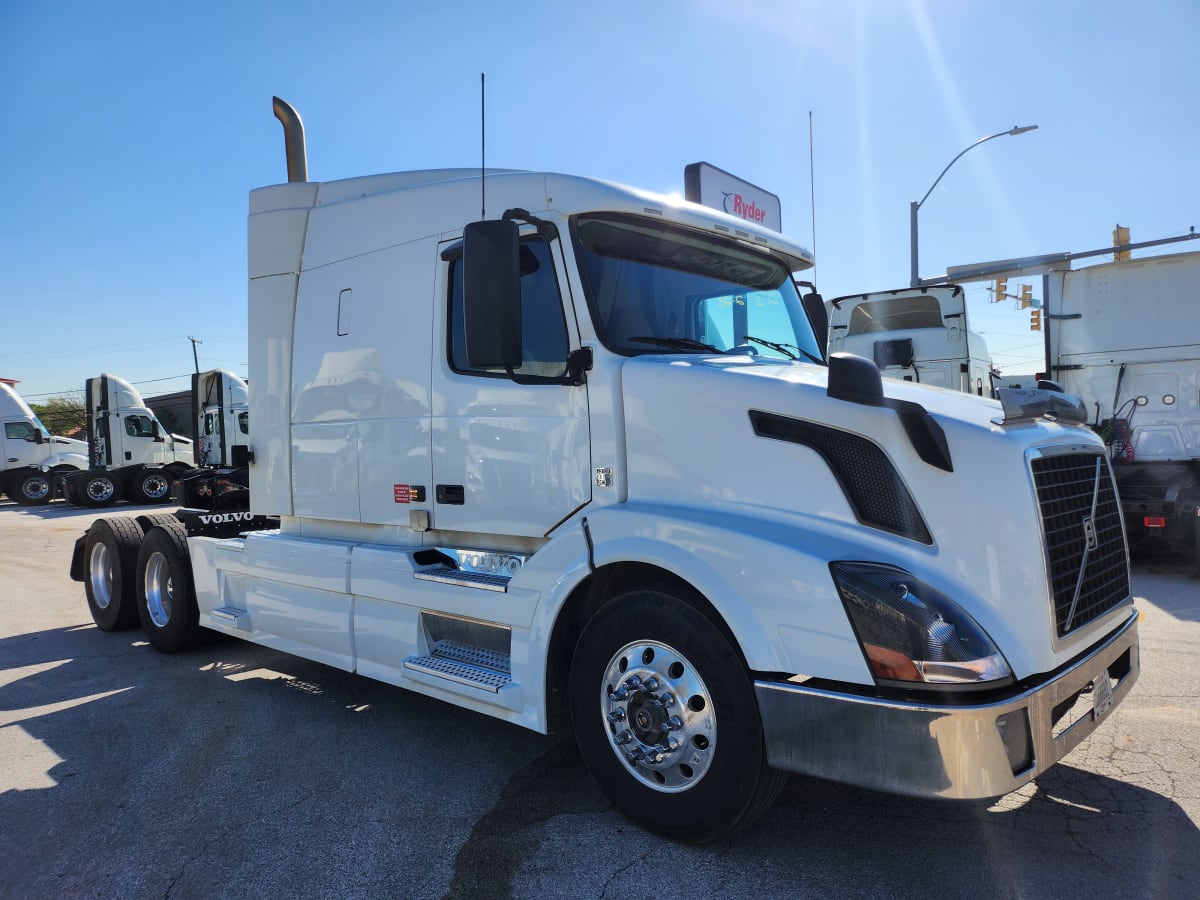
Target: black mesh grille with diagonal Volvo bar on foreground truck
1084, 537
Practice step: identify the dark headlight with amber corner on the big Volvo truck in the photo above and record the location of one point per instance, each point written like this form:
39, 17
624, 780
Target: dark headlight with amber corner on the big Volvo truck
913, 633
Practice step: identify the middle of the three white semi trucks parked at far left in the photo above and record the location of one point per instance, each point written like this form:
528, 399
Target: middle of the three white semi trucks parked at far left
133, 455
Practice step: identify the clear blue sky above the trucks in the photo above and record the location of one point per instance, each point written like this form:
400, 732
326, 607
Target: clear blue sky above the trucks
135, 130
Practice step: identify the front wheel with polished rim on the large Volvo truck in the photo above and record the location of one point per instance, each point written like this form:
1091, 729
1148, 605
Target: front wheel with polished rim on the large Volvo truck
667, 719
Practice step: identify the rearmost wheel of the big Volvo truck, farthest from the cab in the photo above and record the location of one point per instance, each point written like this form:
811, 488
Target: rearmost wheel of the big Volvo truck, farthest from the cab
111, 557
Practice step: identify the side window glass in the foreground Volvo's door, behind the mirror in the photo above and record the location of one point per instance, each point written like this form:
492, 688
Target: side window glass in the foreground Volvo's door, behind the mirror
543, 327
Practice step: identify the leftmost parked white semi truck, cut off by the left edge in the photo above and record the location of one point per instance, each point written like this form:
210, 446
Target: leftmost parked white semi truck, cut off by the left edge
33, 458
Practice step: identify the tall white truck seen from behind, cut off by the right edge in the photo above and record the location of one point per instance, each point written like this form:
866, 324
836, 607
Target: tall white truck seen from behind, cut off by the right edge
1125, 337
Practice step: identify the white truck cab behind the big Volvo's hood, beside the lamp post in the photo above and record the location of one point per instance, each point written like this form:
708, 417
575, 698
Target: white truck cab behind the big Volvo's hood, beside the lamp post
915, 335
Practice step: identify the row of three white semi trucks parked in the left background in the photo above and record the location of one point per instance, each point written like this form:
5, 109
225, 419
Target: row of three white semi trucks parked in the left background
129, 453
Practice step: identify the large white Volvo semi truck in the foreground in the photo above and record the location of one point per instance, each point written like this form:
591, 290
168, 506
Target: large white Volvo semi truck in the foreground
584, 460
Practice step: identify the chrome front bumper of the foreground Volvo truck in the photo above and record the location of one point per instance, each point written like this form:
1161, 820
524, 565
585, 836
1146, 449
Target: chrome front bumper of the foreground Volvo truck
953, 752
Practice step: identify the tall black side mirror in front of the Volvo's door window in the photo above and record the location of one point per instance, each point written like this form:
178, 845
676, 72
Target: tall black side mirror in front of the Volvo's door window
491, 295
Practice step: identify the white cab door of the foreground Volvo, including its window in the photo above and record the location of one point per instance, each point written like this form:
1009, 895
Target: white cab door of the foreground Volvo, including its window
512, 455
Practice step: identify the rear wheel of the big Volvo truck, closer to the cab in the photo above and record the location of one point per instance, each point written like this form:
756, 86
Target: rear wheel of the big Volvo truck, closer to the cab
166, 596
